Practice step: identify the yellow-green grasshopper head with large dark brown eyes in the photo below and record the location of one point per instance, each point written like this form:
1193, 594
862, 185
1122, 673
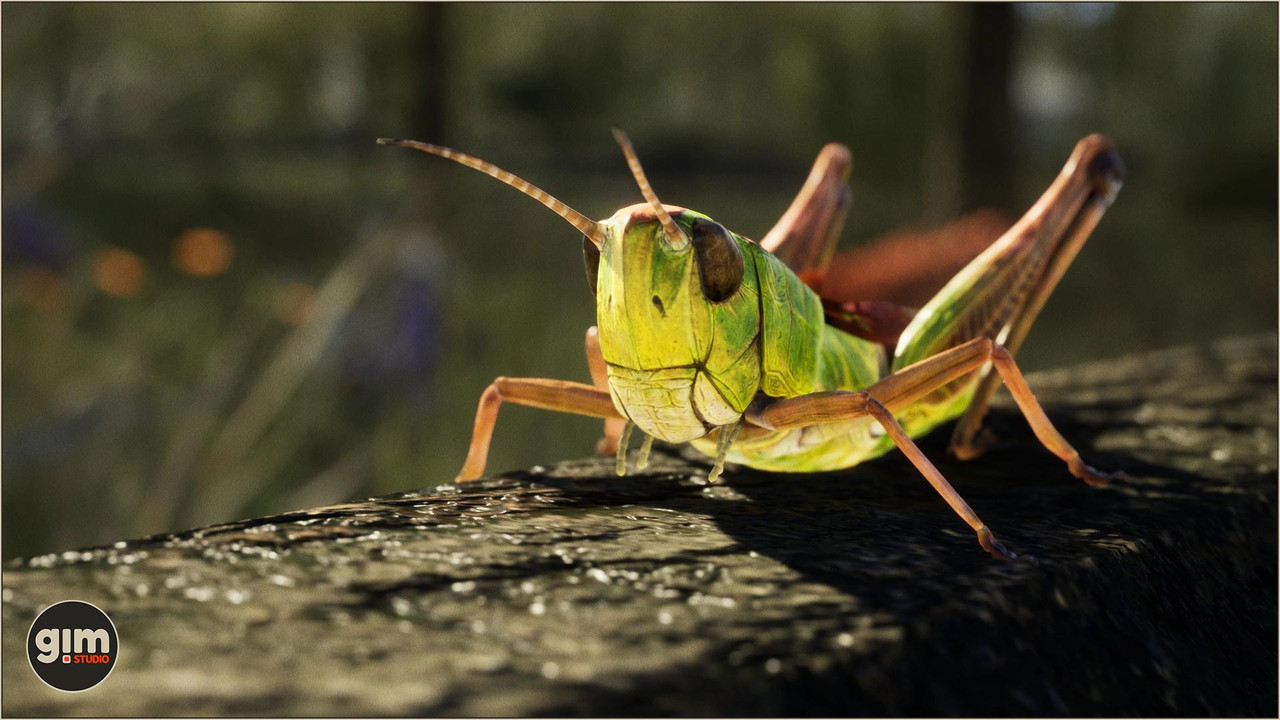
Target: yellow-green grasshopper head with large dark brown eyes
678, 322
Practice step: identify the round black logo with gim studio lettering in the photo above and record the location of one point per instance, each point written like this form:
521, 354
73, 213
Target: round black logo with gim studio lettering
72, 646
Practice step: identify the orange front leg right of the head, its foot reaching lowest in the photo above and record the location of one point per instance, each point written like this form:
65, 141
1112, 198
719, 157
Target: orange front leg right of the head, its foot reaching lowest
835, 407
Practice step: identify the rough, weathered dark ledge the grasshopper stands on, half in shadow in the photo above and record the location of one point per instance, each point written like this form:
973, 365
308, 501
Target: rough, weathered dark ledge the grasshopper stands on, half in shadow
569, 591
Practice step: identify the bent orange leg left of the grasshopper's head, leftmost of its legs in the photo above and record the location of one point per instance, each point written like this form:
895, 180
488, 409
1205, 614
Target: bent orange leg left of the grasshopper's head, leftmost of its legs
561, 397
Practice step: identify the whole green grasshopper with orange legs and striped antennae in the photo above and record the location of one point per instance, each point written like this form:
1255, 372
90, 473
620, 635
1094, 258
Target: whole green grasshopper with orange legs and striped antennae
707, 338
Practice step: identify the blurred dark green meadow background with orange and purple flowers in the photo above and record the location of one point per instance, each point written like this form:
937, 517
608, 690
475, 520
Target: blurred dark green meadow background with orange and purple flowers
221, 299
